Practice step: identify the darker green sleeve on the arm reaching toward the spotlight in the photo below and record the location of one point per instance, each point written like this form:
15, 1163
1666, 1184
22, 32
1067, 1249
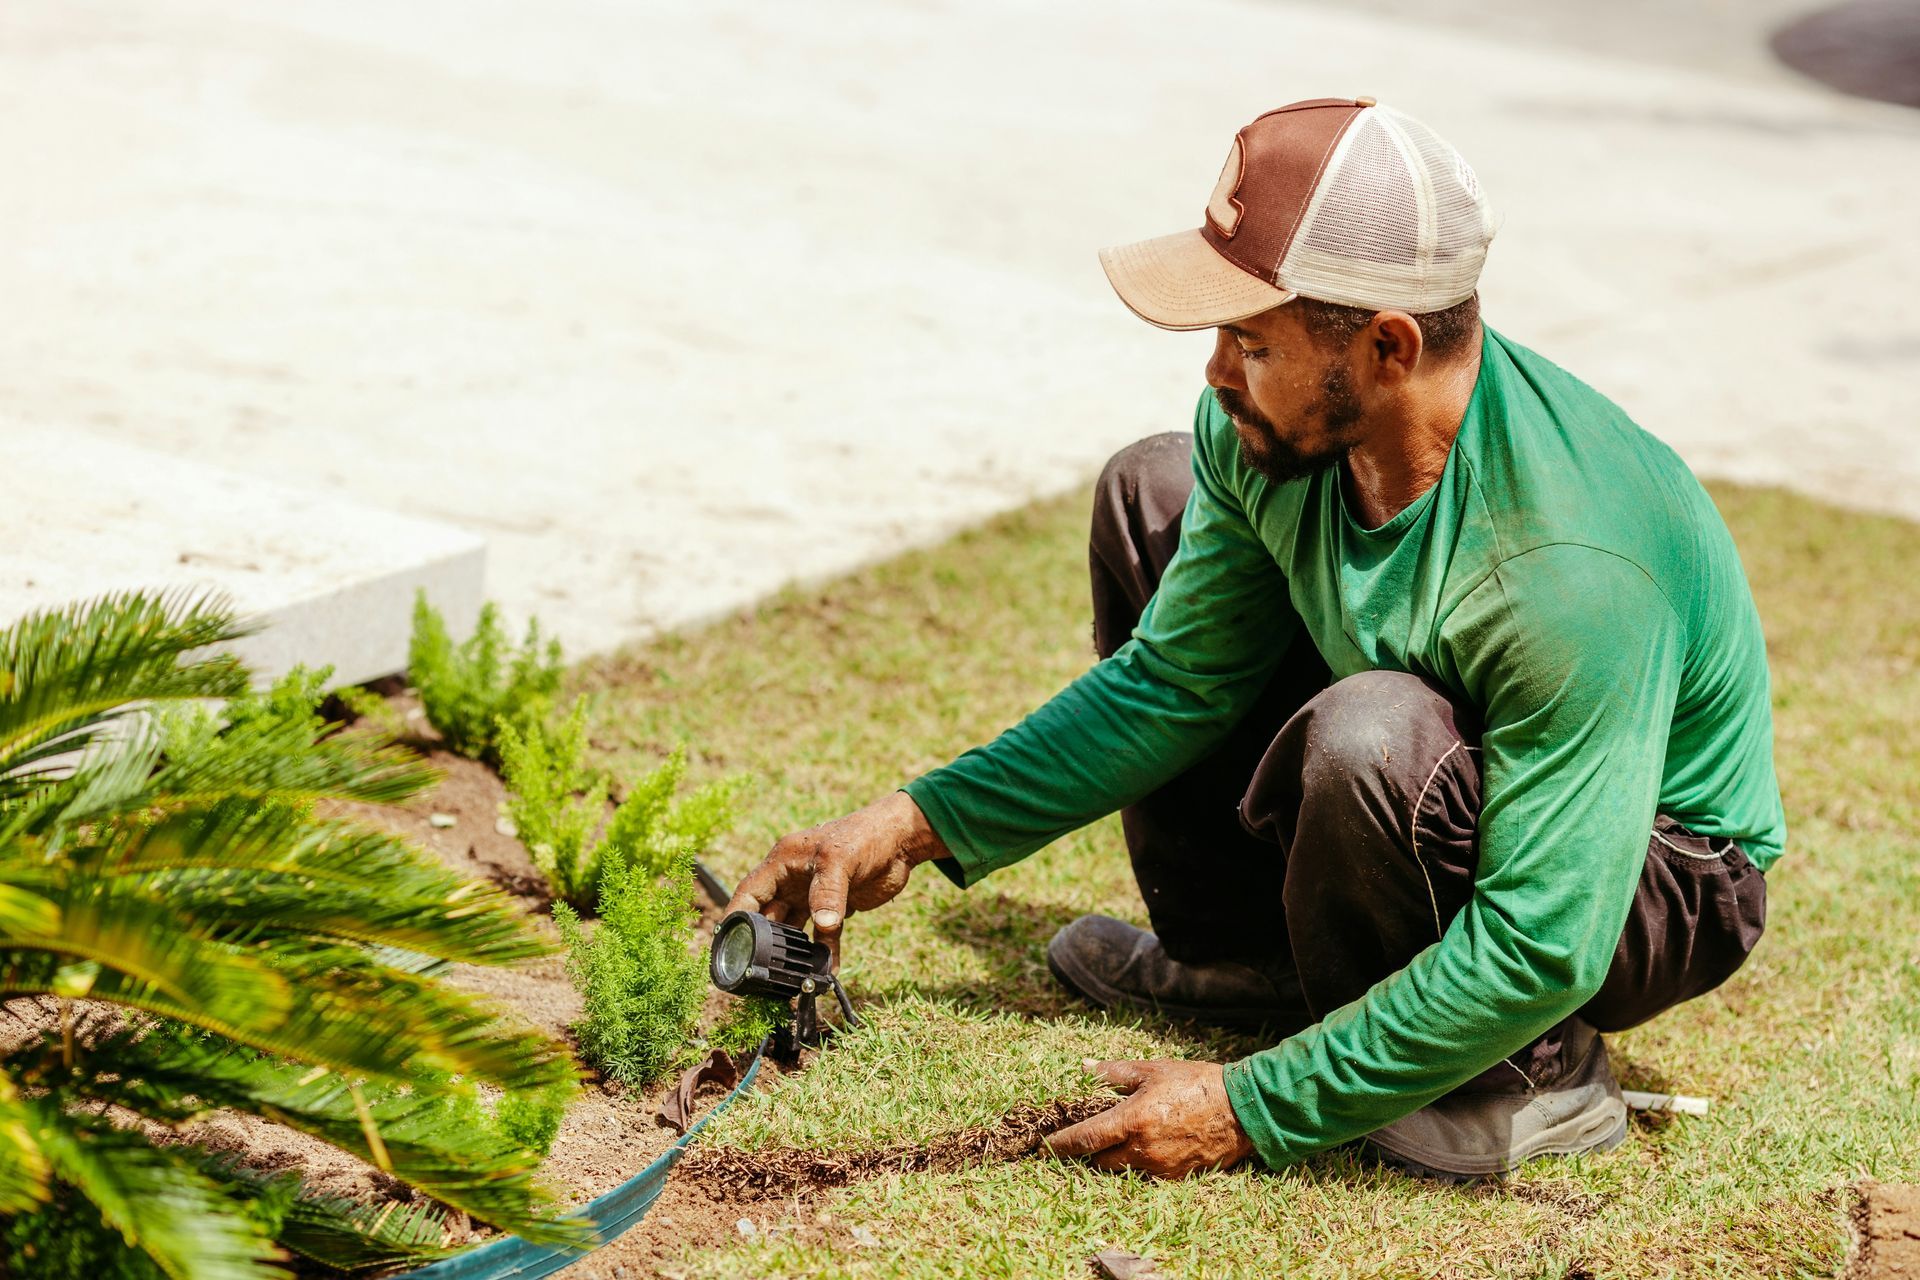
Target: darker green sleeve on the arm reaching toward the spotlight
1201, 655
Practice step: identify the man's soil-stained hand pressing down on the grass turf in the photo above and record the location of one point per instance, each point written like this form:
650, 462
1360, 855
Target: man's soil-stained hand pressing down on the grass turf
1174, 1122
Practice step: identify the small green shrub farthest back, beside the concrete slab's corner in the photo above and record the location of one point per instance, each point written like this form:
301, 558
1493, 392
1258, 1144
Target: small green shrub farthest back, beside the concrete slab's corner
473, 688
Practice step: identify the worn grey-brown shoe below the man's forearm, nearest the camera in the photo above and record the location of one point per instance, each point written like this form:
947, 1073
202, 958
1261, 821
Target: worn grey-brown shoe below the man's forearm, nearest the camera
1487, 1129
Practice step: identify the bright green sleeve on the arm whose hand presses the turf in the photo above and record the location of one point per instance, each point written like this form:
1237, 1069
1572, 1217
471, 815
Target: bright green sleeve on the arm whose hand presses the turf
1575, 659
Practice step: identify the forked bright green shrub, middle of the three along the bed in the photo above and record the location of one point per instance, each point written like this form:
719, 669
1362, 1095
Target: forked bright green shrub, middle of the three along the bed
560, 803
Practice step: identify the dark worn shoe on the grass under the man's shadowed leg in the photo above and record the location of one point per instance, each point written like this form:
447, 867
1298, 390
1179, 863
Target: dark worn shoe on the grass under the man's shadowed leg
1118, 966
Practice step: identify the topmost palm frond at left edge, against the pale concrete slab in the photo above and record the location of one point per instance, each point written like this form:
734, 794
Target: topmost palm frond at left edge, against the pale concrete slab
68, 673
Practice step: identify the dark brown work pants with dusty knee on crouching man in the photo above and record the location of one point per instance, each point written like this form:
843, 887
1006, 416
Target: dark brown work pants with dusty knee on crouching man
1333, 836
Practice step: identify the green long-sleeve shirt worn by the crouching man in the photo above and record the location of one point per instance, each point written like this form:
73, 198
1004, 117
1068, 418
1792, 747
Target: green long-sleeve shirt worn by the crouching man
1566, 577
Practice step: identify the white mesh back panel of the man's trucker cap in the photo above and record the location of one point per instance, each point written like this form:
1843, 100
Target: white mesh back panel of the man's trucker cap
1399, 222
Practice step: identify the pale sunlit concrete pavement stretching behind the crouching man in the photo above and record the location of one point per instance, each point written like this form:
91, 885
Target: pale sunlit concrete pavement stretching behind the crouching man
679, 302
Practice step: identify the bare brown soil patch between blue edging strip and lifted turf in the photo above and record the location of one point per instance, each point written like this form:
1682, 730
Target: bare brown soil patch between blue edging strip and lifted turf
777, 1191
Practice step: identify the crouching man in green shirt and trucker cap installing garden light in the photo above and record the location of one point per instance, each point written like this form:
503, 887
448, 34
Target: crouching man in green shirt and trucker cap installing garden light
1431, 694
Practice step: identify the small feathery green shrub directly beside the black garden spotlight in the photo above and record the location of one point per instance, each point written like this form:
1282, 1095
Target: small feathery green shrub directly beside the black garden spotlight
638, 974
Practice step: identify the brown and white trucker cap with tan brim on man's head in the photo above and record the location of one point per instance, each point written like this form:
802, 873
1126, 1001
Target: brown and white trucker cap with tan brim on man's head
1333, 199
